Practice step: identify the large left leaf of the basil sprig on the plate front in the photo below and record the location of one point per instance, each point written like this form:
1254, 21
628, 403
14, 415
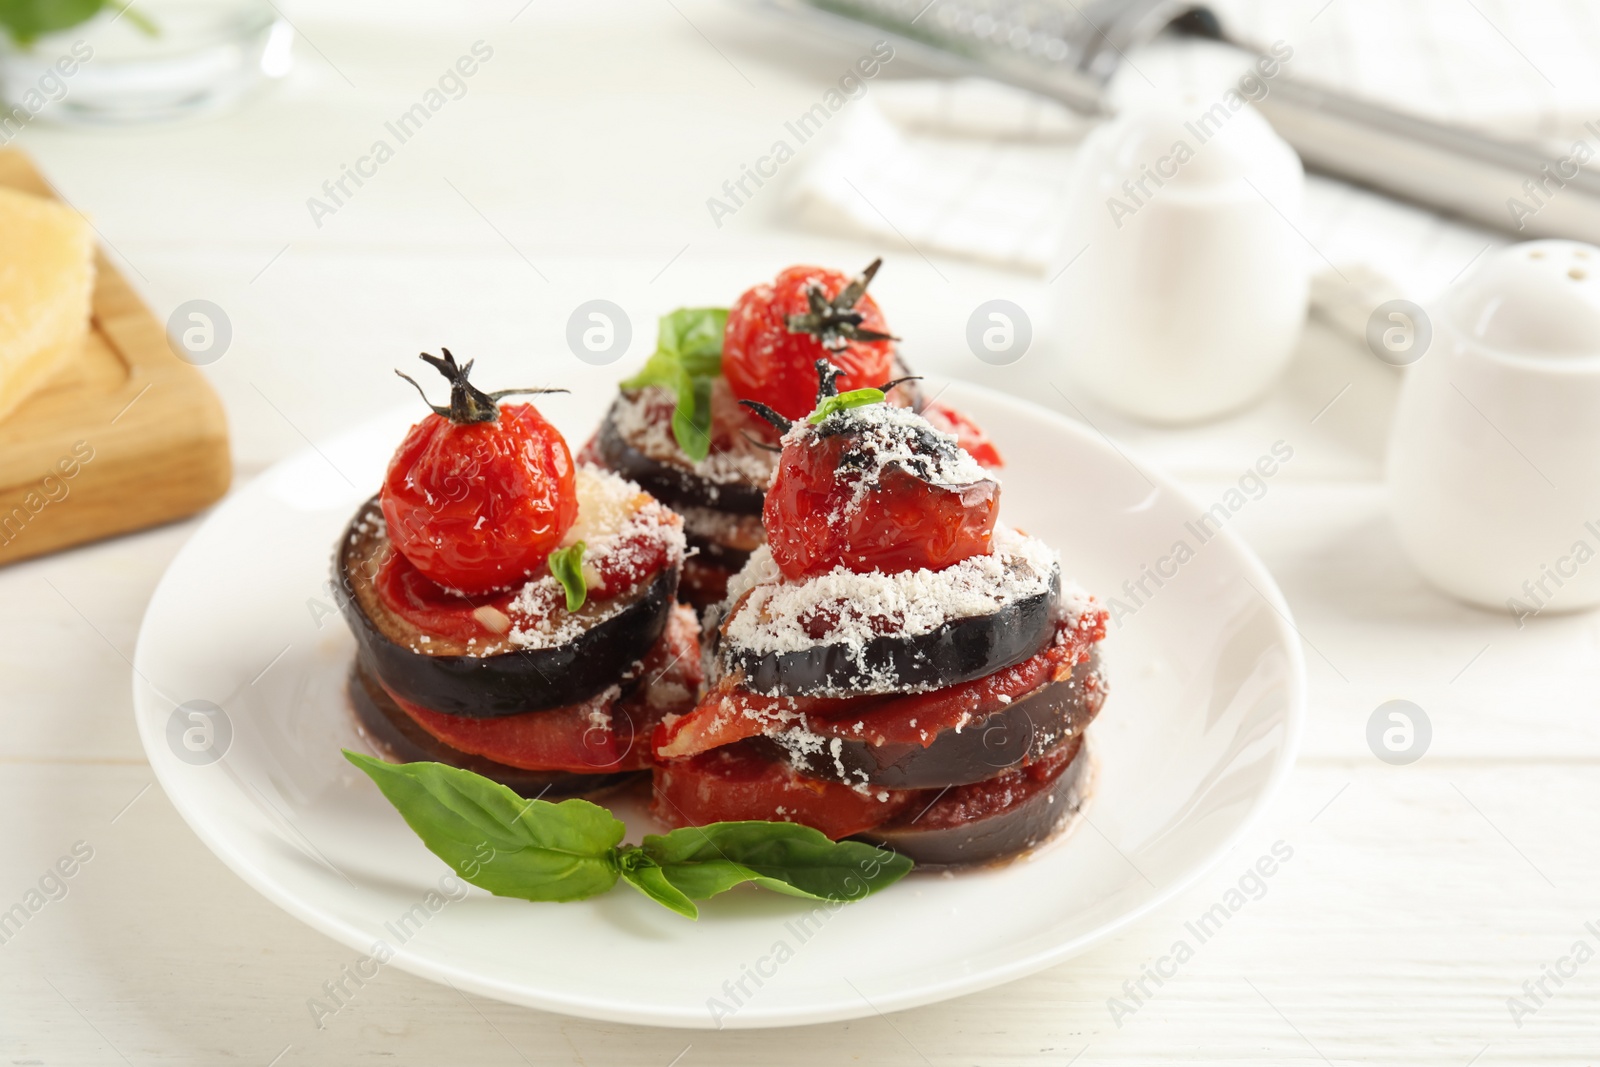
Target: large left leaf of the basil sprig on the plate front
498, 841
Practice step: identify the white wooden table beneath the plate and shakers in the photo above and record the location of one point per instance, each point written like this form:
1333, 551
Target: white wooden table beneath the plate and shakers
1418, 900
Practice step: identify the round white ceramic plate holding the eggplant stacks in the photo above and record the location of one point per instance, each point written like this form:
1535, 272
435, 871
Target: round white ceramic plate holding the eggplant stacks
1207, 697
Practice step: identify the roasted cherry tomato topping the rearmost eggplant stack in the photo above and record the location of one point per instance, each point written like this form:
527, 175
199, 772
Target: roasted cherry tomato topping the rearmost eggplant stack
778, 332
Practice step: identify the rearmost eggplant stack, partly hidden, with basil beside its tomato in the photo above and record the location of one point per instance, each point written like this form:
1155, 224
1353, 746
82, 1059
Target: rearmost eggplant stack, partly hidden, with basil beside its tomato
679, 426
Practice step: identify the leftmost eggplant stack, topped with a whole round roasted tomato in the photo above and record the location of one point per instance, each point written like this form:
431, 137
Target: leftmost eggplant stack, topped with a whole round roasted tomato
514, 613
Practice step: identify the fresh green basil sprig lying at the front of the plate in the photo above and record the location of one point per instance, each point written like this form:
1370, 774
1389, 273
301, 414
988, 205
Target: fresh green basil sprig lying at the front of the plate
537, 850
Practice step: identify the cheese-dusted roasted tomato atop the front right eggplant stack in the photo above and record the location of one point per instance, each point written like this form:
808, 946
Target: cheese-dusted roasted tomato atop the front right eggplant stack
831, 505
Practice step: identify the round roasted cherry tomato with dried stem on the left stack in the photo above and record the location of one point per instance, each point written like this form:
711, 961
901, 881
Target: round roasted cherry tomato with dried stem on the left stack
478, 497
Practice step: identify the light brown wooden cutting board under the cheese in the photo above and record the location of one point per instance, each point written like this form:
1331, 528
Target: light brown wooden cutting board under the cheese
126, 436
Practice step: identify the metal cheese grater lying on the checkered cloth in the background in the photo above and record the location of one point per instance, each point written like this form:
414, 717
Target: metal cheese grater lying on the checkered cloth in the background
1070, 50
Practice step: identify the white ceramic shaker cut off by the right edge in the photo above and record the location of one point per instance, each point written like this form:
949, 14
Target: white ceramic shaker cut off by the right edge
1495, 452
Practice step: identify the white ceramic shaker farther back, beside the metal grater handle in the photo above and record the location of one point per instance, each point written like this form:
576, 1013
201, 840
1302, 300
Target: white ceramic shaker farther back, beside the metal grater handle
1183, 281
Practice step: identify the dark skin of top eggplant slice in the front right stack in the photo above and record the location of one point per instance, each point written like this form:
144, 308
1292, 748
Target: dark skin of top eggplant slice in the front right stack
958, 652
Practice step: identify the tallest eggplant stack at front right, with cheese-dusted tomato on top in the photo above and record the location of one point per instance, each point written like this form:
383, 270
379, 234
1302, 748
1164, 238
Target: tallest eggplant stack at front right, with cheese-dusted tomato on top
894, 665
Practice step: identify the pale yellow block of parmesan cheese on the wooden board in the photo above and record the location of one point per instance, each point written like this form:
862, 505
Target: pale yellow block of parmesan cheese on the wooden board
47, 276
